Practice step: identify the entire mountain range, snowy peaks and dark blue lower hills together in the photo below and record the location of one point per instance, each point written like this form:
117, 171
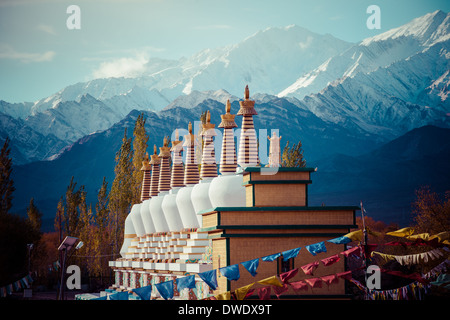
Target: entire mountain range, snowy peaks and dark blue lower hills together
344, 101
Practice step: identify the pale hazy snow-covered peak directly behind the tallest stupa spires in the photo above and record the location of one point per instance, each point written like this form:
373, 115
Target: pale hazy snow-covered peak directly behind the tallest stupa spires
267, 61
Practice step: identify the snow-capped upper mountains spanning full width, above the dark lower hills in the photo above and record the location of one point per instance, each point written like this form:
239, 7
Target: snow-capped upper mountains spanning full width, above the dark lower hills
383, 86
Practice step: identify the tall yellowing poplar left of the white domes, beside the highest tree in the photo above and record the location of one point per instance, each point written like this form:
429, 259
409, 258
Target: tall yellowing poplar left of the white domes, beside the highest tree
121, 195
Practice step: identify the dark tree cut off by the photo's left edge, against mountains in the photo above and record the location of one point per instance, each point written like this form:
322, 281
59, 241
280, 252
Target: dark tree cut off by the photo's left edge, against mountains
6, 182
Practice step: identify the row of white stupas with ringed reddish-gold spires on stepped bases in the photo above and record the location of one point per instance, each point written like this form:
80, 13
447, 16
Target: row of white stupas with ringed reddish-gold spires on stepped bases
167, 225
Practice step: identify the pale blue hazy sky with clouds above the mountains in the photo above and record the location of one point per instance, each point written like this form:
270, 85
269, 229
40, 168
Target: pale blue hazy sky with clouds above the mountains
39, 55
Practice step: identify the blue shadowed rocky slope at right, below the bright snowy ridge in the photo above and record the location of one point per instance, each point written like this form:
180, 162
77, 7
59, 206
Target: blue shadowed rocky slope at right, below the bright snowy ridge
390, 100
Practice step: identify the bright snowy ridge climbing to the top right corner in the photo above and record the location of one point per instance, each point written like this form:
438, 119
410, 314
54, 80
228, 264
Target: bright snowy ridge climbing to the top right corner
375, 52
